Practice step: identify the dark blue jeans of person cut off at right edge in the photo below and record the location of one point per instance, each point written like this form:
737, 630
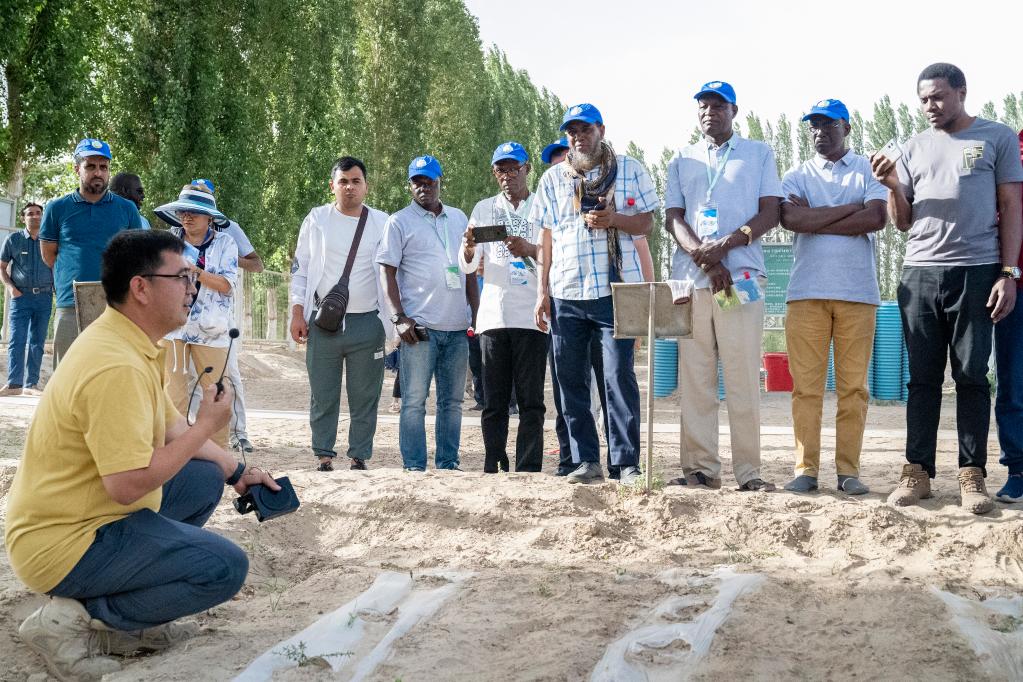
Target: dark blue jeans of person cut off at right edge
1009, 400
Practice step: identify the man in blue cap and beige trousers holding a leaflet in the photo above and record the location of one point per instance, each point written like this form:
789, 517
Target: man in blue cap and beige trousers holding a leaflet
722, 196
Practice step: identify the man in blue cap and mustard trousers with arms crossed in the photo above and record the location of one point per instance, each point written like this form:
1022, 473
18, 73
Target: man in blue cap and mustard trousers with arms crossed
834, 206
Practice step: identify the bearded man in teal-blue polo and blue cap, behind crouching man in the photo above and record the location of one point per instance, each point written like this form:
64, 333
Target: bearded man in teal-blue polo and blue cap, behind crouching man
75, 233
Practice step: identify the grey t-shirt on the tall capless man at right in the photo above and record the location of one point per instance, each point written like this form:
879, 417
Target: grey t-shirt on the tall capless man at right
951, 179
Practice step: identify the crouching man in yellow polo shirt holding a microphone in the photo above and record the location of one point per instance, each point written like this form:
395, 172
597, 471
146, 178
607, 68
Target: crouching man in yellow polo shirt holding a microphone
106, 513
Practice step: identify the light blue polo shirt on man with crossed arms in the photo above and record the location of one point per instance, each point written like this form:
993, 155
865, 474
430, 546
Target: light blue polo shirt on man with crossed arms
834, 266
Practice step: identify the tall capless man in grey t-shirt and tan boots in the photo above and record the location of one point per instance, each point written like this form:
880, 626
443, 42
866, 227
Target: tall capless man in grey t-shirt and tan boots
949, 190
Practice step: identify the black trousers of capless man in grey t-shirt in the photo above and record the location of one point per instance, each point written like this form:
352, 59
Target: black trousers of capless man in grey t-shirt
946, 315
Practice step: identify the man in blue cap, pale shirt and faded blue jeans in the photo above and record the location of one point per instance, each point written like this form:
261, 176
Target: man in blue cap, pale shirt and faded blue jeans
428, 295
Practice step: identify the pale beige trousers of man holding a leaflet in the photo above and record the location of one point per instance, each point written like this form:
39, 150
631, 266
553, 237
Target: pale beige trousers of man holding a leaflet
734, 337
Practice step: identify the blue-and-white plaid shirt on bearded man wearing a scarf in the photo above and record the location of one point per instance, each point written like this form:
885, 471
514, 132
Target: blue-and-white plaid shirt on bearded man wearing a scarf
581, 268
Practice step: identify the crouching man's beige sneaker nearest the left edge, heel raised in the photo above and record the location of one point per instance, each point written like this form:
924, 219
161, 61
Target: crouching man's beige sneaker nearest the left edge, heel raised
60, 633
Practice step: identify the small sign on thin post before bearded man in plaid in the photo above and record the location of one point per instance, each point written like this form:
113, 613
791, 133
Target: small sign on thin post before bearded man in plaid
647, 310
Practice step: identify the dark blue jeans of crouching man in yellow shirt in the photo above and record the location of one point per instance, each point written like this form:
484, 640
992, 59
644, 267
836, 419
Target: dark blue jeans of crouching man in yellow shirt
150, 569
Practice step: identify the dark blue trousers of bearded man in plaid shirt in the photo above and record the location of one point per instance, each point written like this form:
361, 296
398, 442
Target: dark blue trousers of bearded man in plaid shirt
573, 324
